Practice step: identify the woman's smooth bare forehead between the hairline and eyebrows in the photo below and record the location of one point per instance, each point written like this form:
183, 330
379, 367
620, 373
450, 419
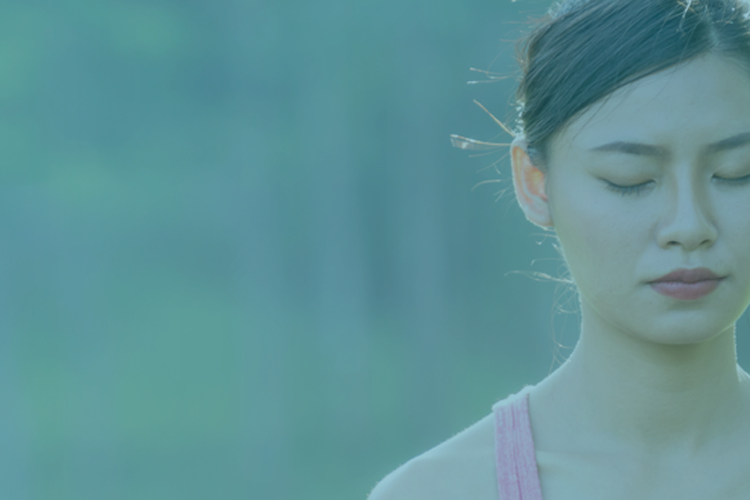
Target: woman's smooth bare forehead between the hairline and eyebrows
681, 109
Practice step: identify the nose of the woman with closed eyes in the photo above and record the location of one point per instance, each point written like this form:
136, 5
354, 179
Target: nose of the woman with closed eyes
687, 220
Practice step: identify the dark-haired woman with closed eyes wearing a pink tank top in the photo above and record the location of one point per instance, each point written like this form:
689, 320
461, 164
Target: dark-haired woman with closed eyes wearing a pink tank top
634, 147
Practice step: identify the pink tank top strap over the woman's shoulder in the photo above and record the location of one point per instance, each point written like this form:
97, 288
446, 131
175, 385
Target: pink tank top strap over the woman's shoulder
517, 474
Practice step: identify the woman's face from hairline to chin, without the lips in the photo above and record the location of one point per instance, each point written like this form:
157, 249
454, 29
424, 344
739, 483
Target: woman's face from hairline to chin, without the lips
678, 136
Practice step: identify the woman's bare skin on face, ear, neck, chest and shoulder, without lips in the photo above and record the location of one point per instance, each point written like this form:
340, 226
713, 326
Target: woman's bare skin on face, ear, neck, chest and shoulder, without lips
651, 404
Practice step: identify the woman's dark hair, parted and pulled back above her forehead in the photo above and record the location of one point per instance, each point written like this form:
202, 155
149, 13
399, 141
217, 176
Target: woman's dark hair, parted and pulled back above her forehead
586, 49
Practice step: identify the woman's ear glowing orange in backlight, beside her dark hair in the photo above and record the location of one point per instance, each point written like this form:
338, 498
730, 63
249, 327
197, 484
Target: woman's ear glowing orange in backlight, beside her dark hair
529, 183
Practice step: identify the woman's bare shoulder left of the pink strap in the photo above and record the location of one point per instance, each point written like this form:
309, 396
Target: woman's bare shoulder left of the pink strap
461, 468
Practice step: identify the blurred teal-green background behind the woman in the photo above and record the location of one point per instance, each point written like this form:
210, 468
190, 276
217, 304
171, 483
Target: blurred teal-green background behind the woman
238, 255
